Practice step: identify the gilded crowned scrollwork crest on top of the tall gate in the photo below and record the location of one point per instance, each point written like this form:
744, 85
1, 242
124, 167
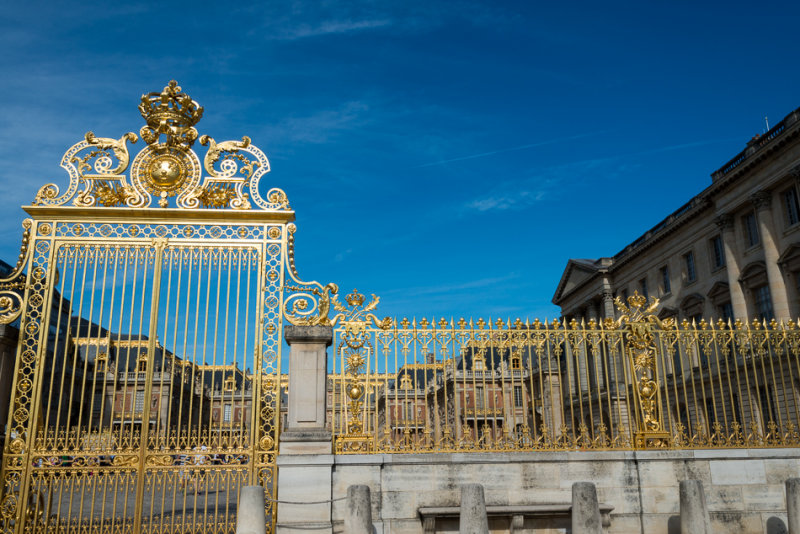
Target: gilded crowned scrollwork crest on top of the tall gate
167, 167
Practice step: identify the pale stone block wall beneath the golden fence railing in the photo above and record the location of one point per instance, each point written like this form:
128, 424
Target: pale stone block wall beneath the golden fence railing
744, 488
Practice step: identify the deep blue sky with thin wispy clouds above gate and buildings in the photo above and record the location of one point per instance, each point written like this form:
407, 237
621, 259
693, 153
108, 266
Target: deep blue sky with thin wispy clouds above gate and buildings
447, 156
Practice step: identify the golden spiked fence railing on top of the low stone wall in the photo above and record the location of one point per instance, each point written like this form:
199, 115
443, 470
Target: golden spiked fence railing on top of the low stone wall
630, 383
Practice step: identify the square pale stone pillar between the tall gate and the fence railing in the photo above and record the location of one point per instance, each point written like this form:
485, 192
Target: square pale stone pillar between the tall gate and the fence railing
305, 462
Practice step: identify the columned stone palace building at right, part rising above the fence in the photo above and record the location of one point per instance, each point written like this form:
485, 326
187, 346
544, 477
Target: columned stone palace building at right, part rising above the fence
731, 252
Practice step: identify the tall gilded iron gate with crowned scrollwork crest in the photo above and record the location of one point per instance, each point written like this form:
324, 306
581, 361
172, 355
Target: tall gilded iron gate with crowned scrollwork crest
147, 387
